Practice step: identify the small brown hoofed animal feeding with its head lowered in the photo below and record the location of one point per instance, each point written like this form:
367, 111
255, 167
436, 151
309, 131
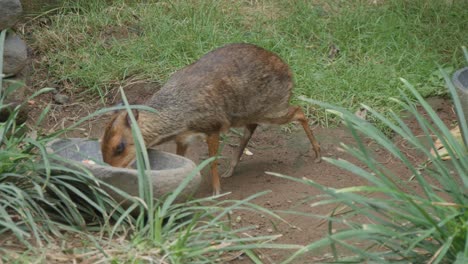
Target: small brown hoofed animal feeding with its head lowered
238, 85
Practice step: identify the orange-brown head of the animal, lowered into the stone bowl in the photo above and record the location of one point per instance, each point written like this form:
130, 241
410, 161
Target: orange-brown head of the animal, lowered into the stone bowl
117, 145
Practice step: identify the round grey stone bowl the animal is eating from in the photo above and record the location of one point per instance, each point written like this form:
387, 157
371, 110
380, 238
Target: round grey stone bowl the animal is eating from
168, 170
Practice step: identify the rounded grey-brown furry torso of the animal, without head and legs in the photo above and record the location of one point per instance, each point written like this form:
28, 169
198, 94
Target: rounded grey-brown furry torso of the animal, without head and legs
236, 84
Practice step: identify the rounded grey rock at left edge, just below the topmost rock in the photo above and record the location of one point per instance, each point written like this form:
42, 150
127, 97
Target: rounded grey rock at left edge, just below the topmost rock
15, 55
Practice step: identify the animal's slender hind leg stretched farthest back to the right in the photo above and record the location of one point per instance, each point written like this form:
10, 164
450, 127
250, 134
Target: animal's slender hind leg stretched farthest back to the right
295, 113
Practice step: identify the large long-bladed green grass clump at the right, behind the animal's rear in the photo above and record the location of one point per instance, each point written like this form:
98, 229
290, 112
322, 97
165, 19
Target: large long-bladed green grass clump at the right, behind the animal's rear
402, 224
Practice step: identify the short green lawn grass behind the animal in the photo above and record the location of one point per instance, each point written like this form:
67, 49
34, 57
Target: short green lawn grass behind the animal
96, 45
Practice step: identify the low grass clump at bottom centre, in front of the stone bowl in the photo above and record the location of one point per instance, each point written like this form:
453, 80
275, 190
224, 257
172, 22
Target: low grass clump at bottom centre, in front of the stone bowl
200, 231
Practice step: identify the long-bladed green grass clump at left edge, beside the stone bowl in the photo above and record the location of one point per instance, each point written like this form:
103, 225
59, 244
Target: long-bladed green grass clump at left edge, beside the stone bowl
40, 197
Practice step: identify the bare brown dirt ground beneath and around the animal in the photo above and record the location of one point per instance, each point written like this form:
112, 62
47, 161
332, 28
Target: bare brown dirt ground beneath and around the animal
274, 150
